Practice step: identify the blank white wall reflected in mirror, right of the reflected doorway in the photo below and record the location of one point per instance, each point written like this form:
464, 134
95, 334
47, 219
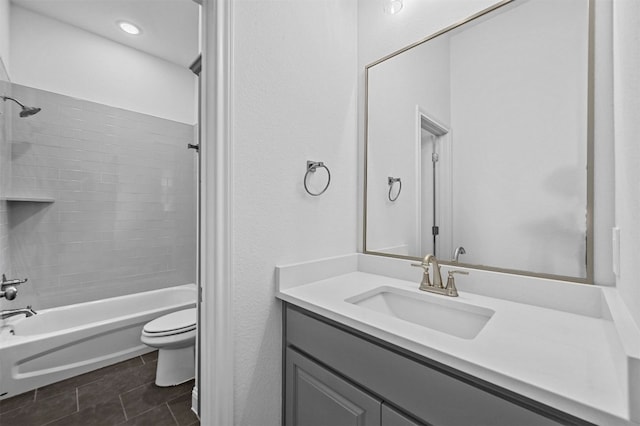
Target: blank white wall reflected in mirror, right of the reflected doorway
520, 181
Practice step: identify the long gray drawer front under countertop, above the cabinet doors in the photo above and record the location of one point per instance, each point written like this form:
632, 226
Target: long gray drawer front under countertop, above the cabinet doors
428, 393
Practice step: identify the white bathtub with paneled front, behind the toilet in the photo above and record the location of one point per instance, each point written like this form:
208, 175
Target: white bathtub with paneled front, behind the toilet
63, 342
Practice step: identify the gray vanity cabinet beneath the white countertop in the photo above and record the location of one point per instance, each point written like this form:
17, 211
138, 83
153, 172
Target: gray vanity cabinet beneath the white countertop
335, 375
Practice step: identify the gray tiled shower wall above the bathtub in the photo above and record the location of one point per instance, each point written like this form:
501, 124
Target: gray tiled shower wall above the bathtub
123, 216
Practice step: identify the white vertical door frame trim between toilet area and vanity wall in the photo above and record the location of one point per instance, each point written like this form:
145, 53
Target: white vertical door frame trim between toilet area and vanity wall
217, 348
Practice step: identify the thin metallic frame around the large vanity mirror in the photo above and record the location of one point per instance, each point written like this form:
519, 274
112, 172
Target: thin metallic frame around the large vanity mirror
590, 151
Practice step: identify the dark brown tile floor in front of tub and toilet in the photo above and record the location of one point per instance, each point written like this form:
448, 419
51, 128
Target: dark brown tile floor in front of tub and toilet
121, 394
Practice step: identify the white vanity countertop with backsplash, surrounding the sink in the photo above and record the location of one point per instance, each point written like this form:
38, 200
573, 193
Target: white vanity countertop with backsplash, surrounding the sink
569, 352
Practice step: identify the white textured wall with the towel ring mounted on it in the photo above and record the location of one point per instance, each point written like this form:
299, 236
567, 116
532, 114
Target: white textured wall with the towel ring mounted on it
294, 99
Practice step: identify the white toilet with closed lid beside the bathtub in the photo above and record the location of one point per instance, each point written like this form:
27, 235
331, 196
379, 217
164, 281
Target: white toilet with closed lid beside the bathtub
174, 335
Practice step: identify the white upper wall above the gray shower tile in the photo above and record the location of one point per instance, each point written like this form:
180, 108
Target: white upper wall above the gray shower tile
50, 55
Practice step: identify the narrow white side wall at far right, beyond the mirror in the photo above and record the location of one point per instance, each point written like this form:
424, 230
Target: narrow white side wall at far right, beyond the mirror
626, 31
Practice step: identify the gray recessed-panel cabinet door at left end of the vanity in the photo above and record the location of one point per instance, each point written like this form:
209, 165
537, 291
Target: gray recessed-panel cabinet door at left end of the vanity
317, 397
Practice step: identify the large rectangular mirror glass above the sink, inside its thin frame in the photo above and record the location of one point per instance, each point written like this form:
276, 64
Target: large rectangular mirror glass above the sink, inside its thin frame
479, 137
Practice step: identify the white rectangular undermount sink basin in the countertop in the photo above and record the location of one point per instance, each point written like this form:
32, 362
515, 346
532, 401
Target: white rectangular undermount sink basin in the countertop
431, 311
